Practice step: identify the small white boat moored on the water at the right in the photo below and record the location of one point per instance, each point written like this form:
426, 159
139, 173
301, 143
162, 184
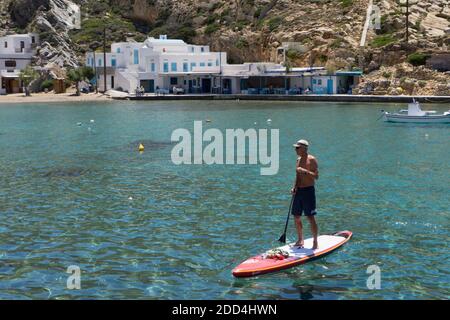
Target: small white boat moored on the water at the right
414, 114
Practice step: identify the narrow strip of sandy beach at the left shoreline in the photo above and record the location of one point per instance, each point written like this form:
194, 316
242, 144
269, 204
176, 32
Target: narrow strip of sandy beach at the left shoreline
51, 97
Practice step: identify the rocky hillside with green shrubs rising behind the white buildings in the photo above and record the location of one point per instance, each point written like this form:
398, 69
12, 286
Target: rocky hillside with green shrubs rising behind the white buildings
325, 32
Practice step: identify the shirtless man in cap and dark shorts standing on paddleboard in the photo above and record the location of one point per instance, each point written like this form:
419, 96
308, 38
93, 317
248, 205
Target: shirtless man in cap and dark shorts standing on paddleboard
305, 197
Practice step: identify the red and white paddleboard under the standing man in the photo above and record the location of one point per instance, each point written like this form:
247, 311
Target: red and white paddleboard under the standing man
289, 256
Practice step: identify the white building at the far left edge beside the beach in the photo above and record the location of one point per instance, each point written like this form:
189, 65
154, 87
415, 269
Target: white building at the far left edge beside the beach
16, 52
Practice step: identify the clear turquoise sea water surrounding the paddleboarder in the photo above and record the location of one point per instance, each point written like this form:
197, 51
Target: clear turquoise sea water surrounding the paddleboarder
141, 227
